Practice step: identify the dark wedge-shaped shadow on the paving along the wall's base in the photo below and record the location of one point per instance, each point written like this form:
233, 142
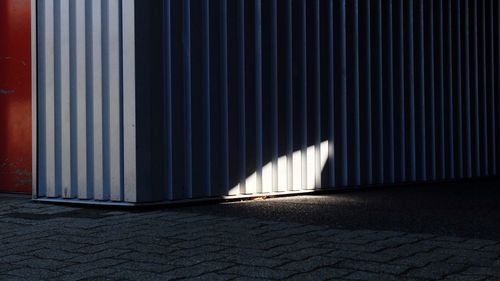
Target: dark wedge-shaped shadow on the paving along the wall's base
466, 209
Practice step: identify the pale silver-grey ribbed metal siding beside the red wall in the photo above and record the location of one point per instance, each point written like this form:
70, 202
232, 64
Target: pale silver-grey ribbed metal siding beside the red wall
85, 99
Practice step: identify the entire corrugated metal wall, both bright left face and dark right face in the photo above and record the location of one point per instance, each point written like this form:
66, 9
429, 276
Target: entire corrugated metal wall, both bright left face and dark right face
244, 98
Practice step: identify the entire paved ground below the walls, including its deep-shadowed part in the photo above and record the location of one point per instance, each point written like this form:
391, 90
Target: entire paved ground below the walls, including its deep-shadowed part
441, 232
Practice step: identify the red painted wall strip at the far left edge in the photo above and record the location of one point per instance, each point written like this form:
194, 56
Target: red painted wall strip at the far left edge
15, 96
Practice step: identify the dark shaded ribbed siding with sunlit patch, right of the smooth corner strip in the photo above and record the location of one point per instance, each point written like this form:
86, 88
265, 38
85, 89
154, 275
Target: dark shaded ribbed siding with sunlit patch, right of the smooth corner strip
296, 95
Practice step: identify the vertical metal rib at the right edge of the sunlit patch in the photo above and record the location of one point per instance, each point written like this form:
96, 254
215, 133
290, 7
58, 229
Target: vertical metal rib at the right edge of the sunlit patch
331, 97
